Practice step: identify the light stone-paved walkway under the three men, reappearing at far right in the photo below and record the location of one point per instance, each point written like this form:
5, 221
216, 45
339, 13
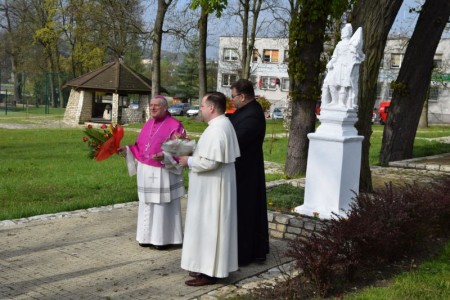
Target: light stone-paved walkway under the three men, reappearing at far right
92, 254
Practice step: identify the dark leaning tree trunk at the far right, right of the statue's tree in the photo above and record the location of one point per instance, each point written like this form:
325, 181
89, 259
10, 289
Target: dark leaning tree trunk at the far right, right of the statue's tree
411, 86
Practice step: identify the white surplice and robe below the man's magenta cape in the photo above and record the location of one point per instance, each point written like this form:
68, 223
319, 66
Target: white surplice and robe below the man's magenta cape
160, 191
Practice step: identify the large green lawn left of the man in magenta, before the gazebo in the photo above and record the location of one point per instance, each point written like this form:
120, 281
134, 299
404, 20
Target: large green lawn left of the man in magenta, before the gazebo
47, 170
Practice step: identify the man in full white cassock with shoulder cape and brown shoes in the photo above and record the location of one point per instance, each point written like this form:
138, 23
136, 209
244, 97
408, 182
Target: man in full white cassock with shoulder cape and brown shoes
210, 236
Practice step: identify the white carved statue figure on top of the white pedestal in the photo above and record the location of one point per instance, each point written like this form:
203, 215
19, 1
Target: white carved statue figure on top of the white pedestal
340, 86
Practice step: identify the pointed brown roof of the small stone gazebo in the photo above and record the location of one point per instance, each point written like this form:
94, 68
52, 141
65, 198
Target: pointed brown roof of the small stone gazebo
113, 77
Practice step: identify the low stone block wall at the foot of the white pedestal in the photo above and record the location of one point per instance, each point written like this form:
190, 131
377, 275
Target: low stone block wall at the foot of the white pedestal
284, 226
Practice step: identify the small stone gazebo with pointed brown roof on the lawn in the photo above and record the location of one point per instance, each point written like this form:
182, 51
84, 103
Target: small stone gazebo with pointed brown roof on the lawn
102, 96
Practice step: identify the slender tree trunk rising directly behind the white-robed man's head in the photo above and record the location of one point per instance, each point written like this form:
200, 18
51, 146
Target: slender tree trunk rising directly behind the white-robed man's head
203, 34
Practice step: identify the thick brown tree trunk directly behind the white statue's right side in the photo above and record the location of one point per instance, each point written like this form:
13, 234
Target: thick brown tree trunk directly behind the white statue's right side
376, 18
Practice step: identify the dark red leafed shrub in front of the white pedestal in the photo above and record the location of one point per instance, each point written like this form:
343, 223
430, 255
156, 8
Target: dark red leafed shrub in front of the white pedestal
379, 228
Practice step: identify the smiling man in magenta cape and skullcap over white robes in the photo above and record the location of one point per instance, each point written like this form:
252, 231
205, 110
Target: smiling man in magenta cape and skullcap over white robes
159, 179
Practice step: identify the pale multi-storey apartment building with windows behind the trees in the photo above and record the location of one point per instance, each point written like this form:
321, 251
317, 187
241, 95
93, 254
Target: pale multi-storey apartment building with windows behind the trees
270, 77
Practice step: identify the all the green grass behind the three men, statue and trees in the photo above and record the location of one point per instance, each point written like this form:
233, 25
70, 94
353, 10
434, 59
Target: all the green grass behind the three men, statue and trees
47, 170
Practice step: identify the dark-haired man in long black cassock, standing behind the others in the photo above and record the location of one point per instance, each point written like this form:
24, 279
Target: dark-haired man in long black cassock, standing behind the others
249, 123
